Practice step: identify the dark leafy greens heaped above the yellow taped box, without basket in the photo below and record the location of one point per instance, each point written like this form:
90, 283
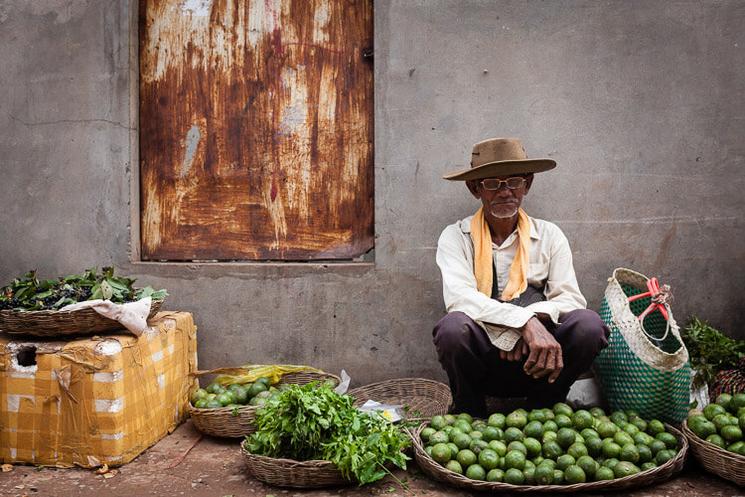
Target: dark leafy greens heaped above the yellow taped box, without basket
30, 293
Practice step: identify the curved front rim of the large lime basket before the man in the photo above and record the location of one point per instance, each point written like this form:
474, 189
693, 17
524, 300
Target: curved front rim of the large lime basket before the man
617, 483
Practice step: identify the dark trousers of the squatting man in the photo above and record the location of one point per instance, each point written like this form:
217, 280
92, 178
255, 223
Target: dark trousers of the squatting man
475, 369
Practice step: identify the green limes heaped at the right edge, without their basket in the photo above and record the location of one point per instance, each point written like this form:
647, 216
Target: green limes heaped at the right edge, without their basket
722, 423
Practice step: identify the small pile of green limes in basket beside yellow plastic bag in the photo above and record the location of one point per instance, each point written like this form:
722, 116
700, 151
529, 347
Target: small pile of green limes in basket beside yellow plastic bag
237, 395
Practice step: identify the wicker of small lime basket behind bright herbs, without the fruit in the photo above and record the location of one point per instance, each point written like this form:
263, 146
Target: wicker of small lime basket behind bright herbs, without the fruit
232, 423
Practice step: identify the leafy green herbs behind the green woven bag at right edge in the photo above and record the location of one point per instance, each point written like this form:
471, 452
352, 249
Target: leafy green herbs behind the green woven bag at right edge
710, 350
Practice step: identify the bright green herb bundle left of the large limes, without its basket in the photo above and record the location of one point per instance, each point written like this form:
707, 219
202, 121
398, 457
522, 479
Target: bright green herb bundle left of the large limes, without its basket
312, 422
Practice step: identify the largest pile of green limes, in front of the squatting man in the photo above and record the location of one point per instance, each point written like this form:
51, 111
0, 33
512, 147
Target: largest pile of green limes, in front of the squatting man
549, 446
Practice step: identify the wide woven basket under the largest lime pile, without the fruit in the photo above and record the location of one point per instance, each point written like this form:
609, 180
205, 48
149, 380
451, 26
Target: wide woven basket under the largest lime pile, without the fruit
656, 475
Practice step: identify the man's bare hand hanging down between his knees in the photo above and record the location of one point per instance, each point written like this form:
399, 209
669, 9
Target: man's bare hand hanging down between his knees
544, 357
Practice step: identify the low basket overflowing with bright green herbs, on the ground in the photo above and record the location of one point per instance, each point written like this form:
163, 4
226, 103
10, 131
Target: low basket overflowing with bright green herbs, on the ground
309, 436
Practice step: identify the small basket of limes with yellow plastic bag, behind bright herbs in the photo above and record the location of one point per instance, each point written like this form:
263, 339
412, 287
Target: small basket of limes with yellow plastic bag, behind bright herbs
229, 410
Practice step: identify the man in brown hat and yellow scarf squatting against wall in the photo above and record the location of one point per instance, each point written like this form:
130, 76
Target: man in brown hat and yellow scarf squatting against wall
516, 324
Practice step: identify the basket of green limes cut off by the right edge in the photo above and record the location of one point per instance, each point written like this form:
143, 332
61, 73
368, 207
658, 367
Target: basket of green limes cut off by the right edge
716, 436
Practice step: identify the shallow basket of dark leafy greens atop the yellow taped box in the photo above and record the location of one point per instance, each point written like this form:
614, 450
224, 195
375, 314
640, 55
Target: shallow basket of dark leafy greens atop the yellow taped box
30, 305
